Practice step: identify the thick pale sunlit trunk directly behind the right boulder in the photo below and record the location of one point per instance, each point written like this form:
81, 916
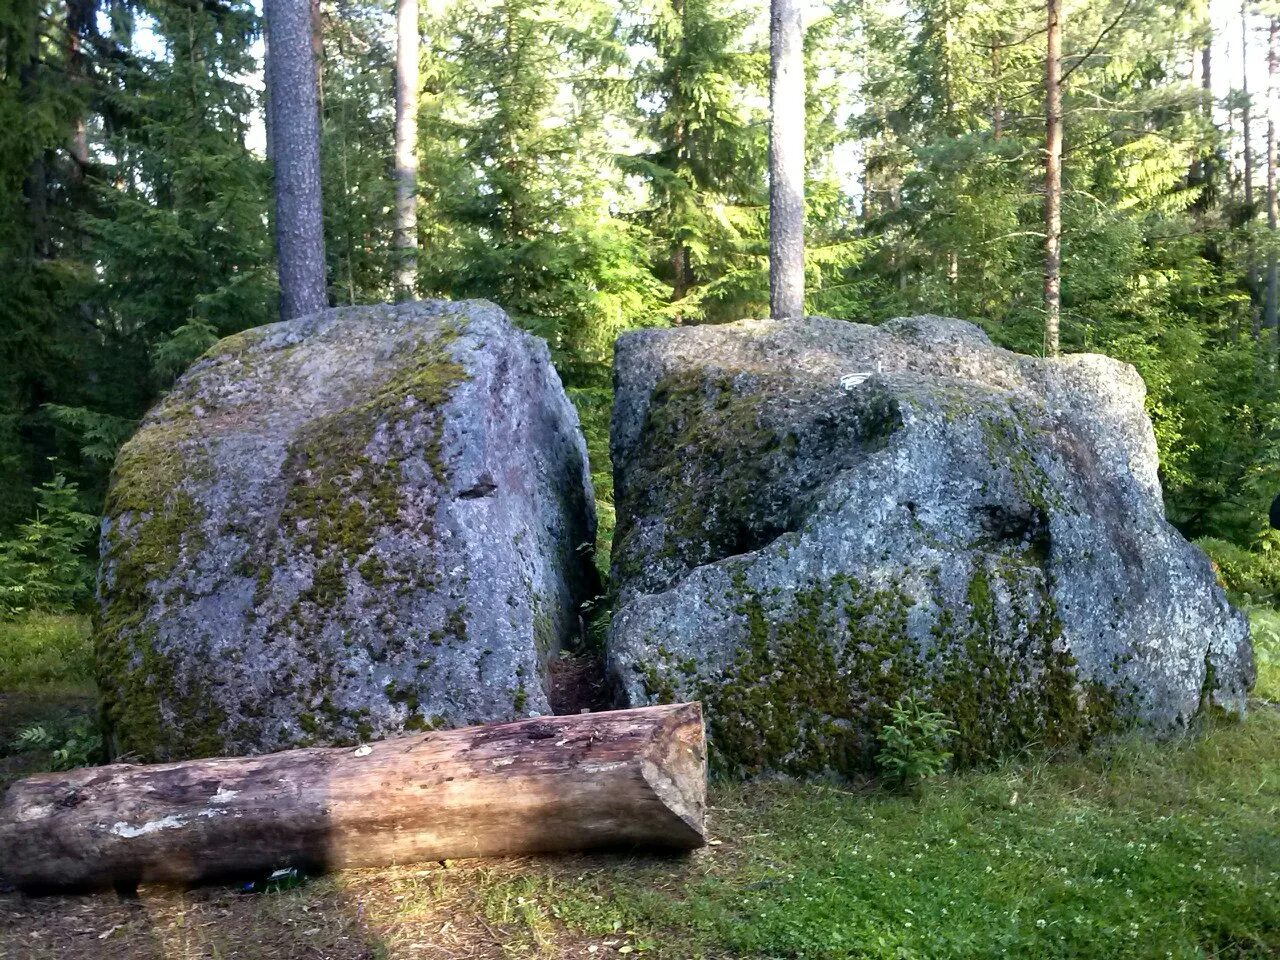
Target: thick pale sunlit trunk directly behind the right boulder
787, 161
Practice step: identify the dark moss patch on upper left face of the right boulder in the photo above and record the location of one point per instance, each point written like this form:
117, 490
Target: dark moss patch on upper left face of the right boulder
719, 467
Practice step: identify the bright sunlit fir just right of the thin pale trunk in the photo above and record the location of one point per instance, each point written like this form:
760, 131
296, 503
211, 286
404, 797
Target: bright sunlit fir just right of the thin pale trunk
522, 191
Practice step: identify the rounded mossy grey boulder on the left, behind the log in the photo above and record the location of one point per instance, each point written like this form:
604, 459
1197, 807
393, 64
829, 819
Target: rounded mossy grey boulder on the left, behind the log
340, 528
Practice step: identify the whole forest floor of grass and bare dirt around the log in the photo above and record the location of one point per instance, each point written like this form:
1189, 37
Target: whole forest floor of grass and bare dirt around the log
1137, 851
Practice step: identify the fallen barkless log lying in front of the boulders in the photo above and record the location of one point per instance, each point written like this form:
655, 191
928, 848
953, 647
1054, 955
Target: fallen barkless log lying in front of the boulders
627, 779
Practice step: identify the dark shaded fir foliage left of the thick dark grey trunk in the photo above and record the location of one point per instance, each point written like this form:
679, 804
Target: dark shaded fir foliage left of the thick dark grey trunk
125, 264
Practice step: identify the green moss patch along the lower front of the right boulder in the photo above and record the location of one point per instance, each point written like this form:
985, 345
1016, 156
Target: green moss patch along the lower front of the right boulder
815, 676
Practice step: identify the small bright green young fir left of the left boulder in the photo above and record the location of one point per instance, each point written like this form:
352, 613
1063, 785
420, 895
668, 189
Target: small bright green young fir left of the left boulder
44, 566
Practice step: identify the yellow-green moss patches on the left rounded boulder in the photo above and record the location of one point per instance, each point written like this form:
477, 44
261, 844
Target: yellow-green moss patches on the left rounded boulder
344, 481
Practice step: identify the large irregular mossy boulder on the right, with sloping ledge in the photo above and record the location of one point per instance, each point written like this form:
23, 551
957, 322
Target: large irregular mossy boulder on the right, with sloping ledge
816, 519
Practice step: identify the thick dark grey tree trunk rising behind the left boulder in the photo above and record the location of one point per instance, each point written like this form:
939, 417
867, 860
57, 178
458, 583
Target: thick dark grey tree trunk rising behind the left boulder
295, 129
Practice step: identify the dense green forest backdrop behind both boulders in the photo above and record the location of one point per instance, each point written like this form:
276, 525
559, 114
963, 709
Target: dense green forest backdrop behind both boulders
596, 166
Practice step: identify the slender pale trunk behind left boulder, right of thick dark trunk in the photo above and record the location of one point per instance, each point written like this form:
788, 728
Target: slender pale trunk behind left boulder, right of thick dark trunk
406, 148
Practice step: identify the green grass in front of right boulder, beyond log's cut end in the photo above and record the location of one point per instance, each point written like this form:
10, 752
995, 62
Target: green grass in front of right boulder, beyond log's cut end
1141, 851
